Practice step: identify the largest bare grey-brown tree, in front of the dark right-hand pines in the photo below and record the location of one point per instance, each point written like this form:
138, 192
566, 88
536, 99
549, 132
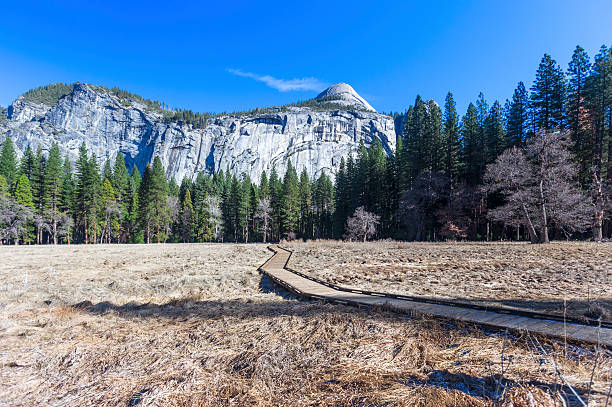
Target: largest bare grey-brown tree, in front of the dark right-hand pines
539, 187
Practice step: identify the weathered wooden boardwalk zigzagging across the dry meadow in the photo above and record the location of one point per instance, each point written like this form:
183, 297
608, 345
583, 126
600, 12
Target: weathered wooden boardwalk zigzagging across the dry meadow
276, 269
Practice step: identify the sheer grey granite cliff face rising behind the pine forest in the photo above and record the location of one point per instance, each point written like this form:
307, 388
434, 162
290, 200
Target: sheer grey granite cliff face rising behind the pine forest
246, 144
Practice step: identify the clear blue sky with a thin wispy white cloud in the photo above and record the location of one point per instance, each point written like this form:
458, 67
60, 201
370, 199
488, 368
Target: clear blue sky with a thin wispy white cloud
226, 56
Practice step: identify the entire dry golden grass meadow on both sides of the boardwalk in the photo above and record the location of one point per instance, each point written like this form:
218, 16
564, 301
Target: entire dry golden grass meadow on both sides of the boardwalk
196, 325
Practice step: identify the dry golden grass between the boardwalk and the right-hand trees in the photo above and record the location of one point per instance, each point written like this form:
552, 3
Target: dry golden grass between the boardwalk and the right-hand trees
516, 275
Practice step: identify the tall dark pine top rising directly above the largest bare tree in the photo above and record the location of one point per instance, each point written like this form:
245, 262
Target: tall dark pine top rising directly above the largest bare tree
548, 95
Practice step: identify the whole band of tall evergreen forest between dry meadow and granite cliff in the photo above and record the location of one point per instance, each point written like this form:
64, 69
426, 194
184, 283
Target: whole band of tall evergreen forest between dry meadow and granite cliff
536, 167
